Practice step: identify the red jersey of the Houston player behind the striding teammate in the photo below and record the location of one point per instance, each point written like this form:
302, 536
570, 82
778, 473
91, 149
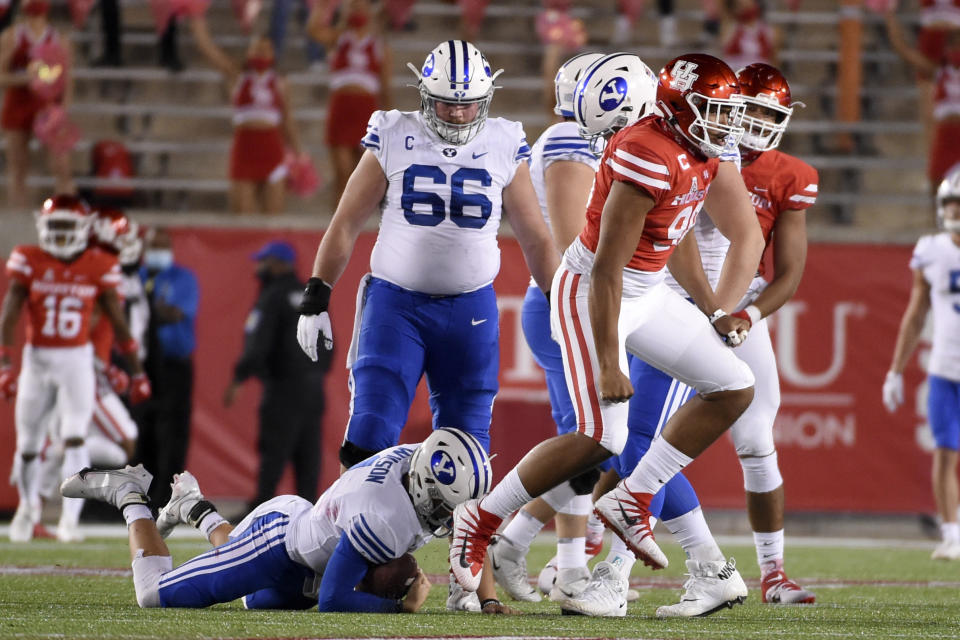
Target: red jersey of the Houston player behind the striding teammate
778, 182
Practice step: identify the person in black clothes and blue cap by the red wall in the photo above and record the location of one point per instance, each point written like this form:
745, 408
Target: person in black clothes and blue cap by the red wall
291, 408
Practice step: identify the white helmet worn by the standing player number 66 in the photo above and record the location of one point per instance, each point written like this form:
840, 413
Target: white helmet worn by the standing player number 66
455, 72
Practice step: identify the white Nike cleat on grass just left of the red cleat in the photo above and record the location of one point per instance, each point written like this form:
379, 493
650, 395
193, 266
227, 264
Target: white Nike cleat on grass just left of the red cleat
711, 587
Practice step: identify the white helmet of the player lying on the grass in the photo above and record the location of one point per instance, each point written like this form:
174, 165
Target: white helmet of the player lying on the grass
448, 468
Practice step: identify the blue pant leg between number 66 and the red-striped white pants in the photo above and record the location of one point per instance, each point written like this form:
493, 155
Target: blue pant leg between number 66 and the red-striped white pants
535, 320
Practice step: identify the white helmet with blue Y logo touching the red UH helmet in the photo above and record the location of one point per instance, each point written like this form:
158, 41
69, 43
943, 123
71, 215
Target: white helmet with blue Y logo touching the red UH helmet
614, 92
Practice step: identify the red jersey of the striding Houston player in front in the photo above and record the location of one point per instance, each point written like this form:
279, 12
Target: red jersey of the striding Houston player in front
648, 156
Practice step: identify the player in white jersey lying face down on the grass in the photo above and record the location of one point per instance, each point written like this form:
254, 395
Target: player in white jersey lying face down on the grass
287, 553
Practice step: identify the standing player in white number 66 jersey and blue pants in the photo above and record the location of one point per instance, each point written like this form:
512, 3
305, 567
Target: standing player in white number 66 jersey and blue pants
441, 178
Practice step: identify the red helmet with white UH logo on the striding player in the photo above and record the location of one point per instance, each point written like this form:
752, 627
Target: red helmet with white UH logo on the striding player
700, 98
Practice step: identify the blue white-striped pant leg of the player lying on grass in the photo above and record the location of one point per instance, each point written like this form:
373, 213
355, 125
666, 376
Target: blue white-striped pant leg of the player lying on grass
249, 563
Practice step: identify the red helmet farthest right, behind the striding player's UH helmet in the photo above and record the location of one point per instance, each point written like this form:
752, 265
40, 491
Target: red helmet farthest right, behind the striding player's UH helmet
768, 106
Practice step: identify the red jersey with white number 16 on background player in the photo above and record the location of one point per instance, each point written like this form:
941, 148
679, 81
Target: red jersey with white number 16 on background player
61, 294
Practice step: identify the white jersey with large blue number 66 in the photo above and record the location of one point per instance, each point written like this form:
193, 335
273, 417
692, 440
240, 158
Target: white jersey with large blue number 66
442, 209
